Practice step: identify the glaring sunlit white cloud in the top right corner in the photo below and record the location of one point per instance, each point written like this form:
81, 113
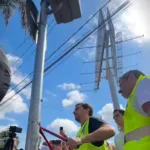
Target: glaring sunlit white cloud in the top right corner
135, 20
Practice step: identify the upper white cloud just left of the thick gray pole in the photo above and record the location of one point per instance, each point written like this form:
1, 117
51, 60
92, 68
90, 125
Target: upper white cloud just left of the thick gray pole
17, 77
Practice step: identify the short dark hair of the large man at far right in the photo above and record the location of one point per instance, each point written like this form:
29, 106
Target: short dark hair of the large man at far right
136, 73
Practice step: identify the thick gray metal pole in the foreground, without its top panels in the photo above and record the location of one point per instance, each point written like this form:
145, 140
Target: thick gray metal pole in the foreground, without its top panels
32, 138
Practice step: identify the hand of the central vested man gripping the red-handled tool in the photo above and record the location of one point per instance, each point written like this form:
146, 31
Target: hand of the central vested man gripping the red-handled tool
74, 142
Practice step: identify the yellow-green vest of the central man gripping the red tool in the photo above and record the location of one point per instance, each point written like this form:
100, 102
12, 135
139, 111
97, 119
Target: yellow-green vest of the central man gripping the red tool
88, 146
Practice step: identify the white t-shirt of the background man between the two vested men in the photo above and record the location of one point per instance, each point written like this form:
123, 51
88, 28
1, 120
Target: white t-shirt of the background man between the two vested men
119, 141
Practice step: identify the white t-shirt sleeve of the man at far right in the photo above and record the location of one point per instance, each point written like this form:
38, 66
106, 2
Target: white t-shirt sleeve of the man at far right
142, 95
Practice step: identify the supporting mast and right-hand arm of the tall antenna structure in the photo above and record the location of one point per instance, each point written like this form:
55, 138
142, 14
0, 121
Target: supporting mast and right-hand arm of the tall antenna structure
109, 72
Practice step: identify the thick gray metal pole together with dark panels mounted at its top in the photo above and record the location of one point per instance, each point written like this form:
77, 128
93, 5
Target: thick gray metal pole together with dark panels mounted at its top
64, 11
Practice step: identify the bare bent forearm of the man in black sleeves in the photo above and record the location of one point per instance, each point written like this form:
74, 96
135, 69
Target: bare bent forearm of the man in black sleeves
103, 133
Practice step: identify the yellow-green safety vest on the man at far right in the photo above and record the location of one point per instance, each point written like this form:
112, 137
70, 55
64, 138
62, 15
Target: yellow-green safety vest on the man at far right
133, 120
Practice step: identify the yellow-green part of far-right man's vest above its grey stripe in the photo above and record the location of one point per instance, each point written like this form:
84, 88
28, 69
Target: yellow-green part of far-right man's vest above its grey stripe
132, 119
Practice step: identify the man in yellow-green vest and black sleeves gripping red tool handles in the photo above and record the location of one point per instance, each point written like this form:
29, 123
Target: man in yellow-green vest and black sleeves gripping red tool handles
93, 131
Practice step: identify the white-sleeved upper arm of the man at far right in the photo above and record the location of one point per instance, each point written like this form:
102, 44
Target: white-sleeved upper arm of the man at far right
143, 95
